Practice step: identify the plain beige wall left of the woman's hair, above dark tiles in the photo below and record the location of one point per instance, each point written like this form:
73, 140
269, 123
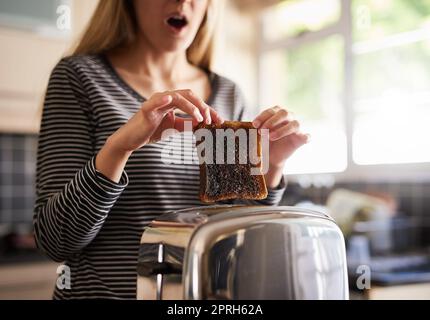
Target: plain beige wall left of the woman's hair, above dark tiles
26, 60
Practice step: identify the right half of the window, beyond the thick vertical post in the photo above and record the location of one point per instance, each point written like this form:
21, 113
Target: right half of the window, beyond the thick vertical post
391, 81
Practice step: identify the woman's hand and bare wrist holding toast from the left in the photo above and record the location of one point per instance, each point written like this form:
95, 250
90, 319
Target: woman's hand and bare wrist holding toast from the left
147, 126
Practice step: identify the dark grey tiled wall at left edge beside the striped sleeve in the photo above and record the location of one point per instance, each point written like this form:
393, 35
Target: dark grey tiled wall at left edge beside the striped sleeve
17, 171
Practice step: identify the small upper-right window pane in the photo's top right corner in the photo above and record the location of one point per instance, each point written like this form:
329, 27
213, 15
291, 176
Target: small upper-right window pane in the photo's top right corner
376, 19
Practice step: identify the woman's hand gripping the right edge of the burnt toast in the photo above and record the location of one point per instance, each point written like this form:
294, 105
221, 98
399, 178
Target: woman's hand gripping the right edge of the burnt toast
284, 134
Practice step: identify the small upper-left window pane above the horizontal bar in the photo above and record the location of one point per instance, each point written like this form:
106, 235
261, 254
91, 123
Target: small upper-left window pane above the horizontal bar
291, 18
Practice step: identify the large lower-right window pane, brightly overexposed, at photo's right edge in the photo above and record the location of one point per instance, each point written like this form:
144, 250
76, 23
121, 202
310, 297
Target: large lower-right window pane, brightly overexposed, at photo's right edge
392, 106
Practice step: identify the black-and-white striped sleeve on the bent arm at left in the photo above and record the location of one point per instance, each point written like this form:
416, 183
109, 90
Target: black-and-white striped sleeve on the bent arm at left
73, 199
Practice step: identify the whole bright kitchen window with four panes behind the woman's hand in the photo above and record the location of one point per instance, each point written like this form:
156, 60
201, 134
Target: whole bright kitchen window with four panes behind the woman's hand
357, 73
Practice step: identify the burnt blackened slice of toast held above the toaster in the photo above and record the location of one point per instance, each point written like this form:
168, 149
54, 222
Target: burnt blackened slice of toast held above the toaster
231, 180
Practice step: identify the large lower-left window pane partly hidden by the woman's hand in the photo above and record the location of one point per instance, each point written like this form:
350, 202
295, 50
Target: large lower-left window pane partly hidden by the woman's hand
308, 81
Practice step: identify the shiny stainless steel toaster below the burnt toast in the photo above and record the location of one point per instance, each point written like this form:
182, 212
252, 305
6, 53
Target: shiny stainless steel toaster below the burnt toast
242, 252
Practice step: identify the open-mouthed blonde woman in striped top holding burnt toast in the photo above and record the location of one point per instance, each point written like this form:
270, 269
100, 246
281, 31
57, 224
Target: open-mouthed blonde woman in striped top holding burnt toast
100, 179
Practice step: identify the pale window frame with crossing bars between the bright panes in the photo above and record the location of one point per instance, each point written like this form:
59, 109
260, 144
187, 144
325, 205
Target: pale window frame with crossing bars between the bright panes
343, 27
